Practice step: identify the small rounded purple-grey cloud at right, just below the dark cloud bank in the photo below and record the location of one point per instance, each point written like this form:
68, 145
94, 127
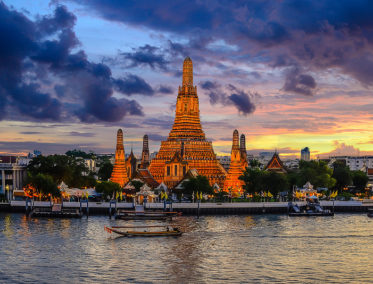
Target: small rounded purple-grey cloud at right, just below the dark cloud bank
299, 83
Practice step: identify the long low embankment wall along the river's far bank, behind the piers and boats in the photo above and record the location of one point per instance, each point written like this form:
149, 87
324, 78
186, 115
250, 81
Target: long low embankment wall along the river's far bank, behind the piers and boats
102, 208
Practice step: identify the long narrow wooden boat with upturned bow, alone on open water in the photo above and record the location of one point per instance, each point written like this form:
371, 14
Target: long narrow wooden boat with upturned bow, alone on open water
129, 232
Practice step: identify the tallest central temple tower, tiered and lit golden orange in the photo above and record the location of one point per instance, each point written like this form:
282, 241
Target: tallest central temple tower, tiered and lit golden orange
186, 147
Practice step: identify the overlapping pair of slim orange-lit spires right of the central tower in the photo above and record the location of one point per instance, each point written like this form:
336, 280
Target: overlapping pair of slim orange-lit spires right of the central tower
237, 166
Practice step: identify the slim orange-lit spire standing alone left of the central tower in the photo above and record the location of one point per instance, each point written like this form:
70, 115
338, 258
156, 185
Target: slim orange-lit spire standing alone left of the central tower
119, 174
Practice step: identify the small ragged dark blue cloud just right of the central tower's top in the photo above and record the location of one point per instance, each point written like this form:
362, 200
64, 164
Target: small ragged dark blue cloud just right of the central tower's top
243, 101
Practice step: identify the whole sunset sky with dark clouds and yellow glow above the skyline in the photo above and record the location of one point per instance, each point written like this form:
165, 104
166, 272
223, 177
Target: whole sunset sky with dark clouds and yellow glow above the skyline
287, 74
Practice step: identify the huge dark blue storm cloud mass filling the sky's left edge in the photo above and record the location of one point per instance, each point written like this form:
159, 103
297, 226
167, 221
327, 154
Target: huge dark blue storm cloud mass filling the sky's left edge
35, 54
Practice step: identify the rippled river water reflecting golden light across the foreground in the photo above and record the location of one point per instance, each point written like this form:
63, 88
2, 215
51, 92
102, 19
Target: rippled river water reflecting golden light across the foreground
256, 249
